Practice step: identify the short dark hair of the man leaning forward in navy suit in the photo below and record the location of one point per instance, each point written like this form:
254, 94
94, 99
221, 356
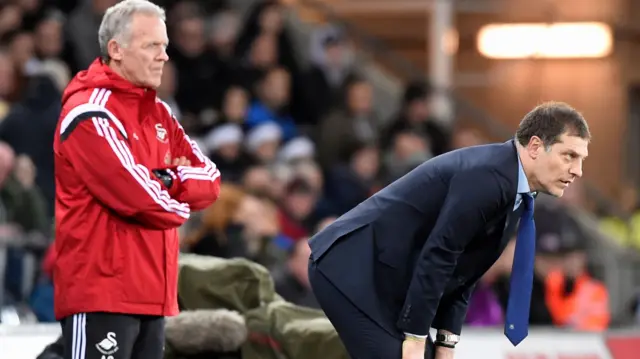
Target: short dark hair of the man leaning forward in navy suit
551, 120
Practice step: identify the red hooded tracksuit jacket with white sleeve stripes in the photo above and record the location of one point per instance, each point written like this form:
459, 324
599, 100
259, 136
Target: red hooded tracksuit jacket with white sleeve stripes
116, 224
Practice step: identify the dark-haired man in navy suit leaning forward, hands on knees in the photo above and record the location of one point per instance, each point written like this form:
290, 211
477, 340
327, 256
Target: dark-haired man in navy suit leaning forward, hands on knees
407, 259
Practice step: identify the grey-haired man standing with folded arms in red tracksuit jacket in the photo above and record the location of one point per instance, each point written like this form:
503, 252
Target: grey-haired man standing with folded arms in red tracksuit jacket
127, 176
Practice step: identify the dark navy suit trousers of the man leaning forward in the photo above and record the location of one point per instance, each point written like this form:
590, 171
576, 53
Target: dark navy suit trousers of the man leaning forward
363, 338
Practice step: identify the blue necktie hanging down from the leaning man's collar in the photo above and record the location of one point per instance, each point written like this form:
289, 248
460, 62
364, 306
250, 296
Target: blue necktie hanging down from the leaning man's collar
517, 317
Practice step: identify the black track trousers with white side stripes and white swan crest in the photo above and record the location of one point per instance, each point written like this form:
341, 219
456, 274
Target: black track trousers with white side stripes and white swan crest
113, 336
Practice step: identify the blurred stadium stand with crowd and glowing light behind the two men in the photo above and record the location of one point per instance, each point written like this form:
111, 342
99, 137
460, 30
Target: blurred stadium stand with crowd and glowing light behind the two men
310, 106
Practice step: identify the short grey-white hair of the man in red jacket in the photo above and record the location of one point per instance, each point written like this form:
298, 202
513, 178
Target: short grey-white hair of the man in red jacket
117, 20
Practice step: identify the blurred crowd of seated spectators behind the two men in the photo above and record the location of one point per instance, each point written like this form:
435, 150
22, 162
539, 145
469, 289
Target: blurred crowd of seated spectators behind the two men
297, 146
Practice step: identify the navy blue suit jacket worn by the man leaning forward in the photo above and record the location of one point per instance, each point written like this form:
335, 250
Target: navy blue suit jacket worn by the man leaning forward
410, 255
